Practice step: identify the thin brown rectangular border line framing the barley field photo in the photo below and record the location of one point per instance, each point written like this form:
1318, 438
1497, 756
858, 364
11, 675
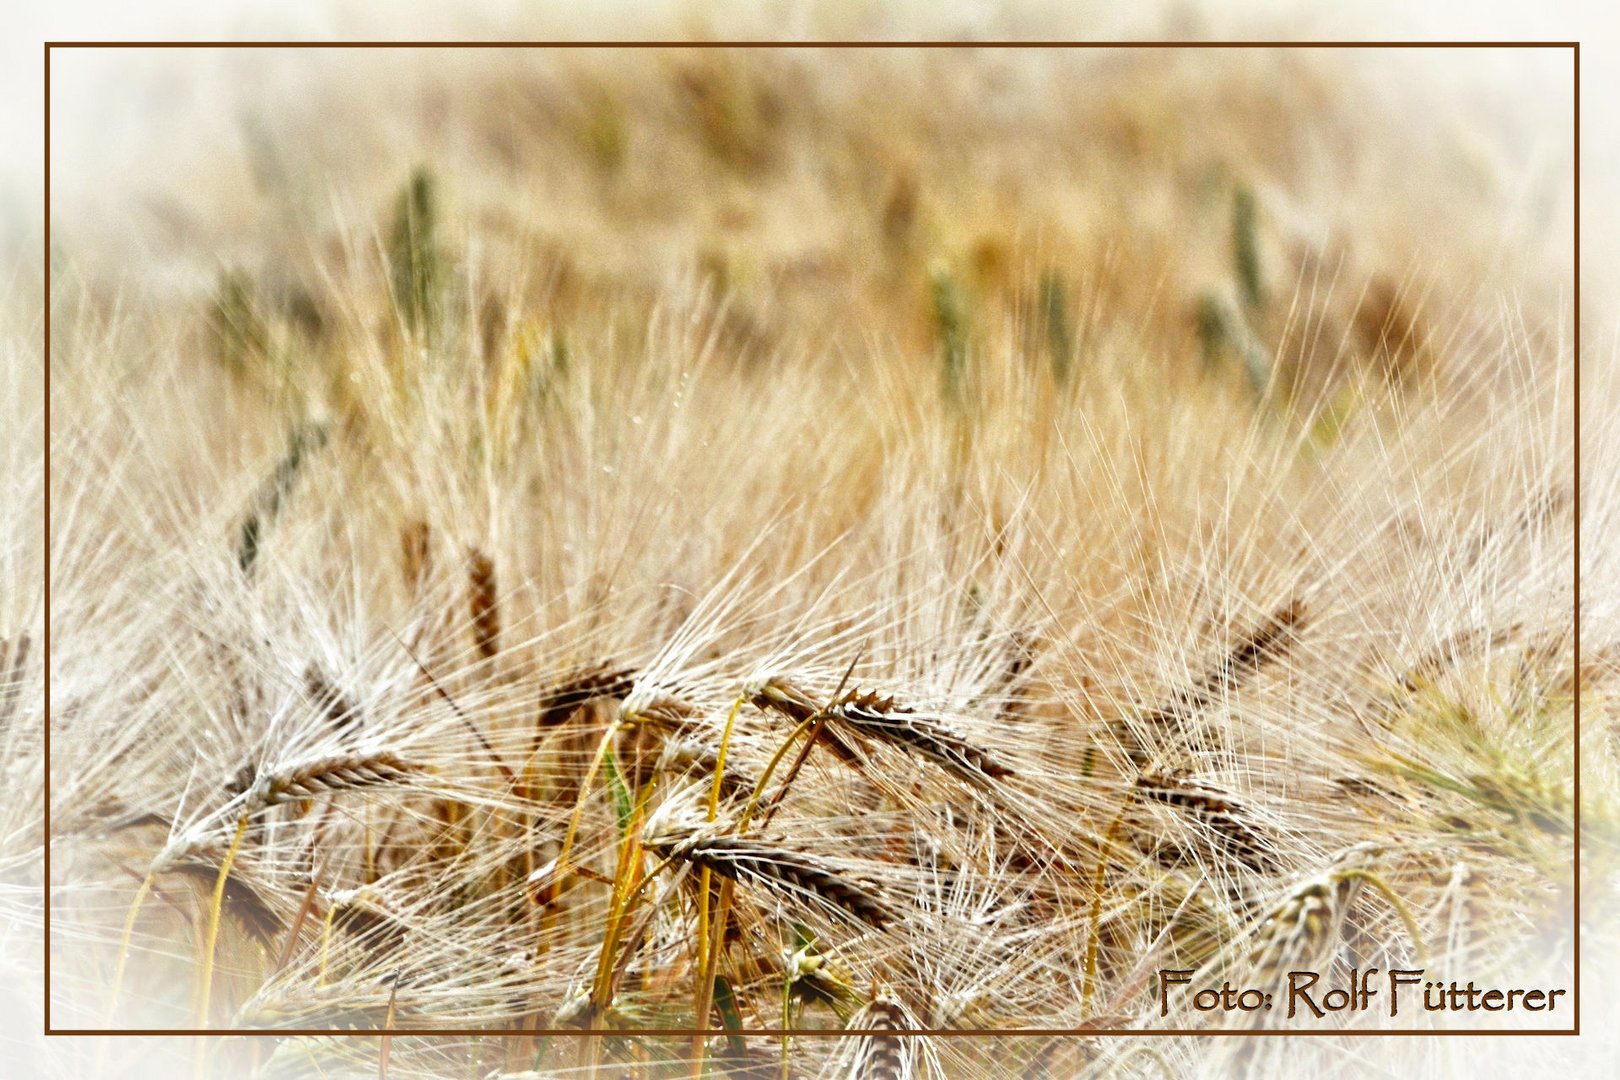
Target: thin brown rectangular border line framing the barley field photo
1572, 46
